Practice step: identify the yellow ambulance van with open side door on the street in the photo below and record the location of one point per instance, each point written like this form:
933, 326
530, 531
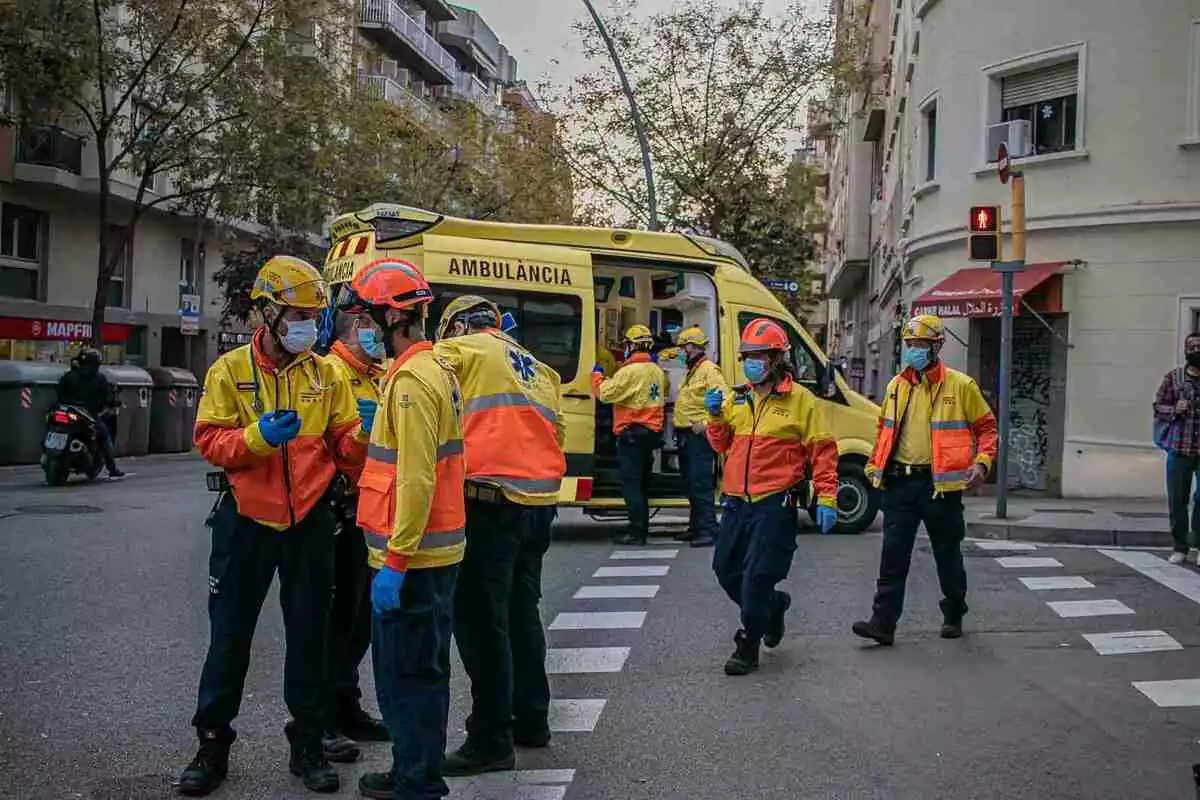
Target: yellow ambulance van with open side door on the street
573, 292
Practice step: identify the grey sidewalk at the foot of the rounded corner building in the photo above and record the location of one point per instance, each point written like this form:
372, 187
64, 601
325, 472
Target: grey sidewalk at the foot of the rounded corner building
1101, 521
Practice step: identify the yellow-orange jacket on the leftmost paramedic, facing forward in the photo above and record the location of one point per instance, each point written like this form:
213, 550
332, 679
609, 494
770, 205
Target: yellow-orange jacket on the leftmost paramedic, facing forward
278, 486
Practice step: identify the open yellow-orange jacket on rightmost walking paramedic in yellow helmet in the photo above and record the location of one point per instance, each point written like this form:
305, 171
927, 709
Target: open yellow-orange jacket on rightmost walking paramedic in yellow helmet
963, 430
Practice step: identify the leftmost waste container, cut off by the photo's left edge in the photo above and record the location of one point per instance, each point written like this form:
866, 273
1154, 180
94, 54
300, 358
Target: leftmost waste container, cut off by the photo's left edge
28, 390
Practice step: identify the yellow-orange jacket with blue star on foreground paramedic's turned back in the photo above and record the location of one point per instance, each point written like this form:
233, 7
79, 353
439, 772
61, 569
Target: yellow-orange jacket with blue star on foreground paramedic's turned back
513, 423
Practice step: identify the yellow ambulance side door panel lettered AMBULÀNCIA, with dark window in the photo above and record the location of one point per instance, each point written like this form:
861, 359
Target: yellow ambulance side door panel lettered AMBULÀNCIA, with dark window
550, 294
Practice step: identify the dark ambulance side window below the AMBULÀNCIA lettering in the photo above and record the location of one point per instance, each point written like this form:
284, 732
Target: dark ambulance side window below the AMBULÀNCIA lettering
548, 324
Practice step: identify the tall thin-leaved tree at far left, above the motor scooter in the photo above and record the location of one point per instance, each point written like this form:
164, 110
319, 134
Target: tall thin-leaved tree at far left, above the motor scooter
172, 97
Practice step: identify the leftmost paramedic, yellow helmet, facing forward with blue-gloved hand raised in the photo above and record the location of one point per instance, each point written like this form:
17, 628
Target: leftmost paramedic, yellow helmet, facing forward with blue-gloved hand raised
280, 423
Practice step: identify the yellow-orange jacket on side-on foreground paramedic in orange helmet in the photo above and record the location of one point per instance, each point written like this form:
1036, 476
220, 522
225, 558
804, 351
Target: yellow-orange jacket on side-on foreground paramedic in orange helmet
411, 494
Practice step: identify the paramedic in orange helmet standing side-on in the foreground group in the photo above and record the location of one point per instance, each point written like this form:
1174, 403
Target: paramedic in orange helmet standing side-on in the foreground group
411, 507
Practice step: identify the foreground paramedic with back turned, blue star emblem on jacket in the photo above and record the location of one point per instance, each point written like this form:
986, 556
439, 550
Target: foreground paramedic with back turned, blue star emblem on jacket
513, 431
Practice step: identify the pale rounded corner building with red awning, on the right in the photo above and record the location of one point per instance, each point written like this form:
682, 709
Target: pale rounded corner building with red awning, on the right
1109, 97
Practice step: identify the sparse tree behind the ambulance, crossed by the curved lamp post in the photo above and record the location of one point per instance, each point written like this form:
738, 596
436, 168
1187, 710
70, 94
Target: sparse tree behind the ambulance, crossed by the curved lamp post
722, 92
